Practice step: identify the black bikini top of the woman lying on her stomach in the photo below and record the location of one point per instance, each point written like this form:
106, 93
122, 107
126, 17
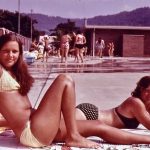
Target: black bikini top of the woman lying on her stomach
130, 123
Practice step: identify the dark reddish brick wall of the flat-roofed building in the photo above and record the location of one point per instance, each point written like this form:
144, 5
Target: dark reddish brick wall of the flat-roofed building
138, 43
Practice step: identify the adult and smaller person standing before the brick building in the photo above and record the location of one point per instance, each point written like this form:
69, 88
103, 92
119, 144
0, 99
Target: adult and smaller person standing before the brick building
100, 46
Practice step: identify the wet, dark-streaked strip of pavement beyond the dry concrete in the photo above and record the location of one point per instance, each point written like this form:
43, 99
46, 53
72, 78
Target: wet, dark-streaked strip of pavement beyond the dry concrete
97, 65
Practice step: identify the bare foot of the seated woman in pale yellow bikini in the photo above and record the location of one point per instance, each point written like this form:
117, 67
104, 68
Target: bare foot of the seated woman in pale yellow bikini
81, 142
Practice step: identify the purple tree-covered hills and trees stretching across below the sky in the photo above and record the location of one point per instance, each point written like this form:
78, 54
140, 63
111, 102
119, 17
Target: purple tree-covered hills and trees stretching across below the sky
40, 22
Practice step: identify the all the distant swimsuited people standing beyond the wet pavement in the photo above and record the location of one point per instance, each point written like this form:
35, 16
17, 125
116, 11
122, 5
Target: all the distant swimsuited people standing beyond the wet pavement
71, 43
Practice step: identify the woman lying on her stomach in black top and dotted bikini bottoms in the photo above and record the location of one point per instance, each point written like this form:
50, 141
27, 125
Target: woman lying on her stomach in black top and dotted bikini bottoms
125, 115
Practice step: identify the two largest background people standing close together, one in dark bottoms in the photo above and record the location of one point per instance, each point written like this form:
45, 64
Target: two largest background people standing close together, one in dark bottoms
78, 46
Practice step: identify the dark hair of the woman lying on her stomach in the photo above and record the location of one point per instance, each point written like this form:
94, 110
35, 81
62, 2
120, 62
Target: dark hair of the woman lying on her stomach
143, 83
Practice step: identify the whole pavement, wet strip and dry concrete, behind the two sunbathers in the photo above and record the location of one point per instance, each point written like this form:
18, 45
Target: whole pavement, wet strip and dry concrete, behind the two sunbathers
105, 82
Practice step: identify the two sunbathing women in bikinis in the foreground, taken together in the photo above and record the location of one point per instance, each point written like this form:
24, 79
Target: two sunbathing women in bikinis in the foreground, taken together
57, 117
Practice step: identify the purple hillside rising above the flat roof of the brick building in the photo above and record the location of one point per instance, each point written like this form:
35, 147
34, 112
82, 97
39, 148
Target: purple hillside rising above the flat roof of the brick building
138, 17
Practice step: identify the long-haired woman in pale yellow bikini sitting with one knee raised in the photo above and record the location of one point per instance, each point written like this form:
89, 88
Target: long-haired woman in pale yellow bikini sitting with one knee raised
40, 127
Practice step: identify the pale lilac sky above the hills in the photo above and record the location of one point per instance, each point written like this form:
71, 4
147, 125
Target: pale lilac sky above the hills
73, 8
